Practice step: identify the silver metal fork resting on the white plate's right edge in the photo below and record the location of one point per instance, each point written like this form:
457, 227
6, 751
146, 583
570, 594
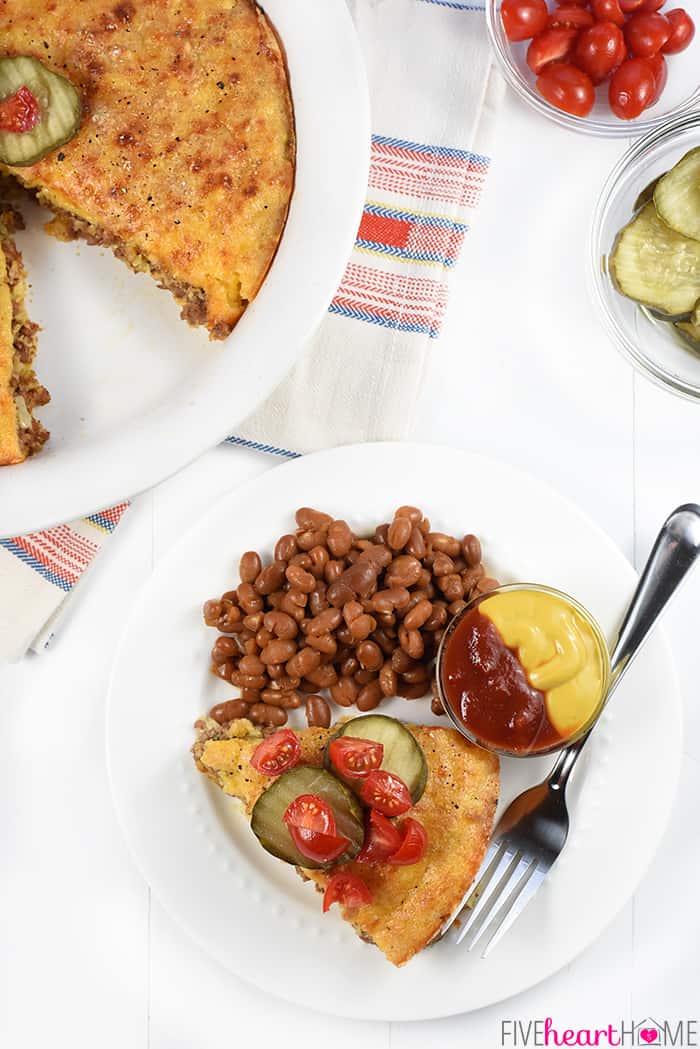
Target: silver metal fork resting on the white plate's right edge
534, 829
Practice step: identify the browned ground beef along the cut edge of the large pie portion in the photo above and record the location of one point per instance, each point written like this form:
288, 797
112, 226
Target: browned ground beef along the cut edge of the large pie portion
192, 299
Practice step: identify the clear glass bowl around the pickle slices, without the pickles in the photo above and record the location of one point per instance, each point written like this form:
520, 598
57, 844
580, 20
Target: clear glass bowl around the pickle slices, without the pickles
652, 346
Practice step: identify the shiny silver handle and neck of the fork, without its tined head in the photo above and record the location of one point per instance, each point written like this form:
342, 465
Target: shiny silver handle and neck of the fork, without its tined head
674, 554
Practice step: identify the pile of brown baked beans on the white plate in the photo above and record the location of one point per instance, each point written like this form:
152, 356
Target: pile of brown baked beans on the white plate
359, 619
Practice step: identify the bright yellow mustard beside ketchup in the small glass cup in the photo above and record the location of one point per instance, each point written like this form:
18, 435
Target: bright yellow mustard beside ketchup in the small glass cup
559, 650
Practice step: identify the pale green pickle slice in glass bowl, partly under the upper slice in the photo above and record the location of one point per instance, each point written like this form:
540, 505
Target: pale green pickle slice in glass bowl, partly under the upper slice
657, 267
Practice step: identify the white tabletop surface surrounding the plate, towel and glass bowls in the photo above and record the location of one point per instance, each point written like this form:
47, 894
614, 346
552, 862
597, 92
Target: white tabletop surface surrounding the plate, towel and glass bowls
522, 372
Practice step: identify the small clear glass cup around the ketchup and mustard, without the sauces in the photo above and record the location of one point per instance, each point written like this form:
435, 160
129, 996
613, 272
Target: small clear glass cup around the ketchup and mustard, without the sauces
605, 663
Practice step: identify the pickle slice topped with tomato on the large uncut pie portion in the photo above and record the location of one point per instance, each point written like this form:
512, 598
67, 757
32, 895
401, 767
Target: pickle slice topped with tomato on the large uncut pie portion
60, 108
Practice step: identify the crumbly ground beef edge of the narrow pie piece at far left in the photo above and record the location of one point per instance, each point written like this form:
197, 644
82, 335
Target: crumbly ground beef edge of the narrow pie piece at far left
27, 390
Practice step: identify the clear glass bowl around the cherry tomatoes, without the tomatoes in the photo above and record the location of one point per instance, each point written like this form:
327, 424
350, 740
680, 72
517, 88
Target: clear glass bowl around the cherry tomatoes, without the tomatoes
682, 94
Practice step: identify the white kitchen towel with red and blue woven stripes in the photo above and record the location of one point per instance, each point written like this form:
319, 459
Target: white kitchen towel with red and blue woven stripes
434, 95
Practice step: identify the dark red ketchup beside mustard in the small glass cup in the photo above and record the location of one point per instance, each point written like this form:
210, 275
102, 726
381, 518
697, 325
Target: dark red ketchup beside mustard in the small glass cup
486, 687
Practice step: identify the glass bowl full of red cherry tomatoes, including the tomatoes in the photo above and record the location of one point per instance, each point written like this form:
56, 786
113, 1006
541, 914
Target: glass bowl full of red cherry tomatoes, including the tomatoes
606, 68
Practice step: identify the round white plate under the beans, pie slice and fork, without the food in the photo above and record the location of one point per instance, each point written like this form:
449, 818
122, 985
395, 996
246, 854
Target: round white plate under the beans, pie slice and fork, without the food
195, 846
